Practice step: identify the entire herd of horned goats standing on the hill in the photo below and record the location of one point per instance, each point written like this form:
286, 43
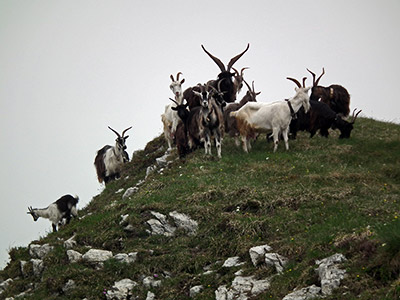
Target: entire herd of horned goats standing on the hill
209, 110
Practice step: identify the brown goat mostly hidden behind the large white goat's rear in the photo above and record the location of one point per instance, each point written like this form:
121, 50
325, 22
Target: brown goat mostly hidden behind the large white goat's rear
230, 122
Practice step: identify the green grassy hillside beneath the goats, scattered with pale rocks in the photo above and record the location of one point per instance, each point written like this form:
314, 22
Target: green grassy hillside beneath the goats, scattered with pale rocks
321, 197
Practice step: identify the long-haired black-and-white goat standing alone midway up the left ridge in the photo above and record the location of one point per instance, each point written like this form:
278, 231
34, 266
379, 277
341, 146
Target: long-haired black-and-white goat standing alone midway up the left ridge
109, 159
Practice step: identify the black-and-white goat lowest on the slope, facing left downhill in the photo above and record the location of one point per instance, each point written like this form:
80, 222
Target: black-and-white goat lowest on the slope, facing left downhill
63, 208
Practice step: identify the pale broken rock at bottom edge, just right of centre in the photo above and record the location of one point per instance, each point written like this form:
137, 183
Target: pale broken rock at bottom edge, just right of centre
242, 288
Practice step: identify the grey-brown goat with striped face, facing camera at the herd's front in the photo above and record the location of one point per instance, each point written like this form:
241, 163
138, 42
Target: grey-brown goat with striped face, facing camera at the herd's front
205, 121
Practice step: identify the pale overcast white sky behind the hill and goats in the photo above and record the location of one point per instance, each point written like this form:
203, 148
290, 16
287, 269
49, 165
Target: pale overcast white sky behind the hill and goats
68, 69
